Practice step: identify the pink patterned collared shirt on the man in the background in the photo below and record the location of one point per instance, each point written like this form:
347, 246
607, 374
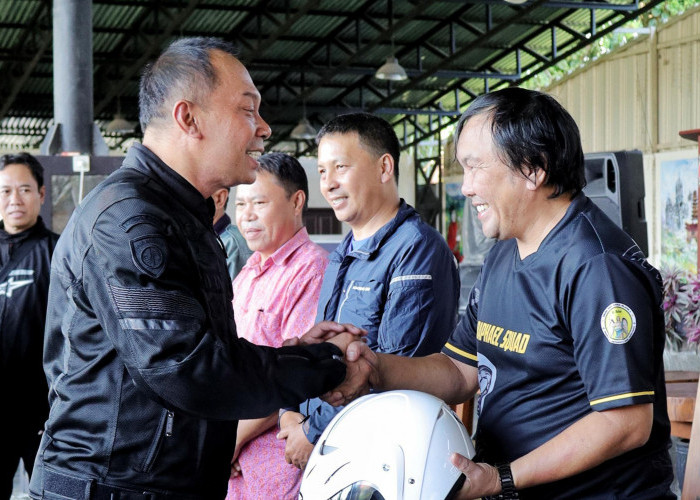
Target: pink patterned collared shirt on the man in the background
272, 302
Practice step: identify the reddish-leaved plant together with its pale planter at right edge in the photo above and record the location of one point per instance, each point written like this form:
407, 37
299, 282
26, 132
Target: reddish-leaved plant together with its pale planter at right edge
681, 307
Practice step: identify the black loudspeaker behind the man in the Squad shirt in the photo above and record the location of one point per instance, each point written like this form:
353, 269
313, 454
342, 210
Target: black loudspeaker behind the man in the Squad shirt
615, 182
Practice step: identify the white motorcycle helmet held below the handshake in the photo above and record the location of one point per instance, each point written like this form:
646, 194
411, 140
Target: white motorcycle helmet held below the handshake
387, 446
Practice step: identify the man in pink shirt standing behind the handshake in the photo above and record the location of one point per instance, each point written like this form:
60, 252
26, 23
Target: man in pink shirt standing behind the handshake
274, 299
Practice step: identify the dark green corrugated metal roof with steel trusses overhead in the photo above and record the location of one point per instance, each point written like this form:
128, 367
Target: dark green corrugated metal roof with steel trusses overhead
321, 54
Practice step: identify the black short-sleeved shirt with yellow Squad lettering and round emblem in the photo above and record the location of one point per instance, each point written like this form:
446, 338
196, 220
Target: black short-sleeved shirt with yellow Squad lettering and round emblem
575, 327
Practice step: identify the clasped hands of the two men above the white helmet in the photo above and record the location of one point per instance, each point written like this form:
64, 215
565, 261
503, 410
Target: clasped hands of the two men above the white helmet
362, 372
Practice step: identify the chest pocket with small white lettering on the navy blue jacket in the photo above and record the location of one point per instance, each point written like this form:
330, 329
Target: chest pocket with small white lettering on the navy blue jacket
361, 304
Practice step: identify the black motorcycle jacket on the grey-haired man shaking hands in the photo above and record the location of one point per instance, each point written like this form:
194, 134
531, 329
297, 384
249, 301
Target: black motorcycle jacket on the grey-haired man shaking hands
146, 373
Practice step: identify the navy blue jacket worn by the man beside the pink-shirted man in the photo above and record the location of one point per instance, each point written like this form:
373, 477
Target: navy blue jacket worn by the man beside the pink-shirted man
401, 285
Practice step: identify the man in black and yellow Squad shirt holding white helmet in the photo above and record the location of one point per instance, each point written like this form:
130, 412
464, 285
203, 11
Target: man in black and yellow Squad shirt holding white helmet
564, 331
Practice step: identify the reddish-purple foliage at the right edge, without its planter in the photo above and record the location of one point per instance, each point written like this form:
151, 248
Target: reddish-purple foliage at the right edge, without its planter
681, 309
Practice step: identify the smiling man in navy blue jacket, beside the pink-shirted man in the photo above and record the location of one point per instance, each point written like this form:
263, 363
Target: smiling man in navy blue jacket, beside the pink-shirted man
393, 275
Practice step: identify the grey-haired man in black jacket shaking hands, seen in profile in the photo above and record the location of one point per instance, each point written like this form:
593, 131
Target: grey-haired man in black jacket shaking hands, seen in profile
146, 372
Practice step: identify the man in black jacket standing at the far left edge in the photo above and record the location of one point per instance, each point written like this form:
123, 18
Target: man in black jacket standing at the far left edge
26, 246
